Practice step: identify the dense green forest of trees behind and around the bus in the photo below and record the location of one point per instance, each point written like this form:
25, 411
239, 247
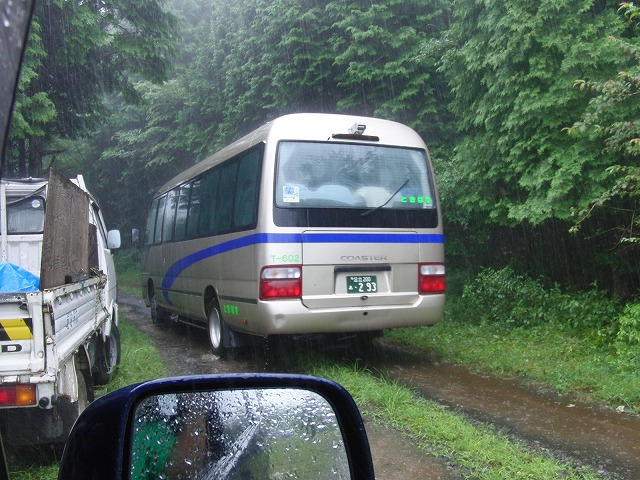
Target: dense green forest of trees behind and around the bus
530, 108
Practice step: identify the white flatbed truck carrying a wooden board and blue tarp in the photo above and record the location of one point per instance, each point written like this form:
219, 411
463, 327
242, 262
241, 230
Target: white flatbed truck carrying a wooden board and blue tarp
58, 306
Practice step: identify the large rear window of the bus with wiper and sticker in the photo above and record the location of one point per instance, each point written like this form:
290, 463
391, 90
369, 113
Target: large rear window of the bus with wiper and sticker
337, 175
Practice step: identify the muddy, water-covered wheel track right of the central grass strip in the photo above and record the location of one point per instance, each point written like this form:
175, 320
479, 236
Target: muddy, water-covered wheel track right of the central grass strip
602, 439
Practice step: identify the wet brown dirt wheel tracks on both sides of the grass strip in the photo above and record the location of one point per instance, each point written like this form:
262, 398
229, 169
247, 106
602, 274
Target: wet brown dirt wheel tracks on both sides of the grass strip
607, 441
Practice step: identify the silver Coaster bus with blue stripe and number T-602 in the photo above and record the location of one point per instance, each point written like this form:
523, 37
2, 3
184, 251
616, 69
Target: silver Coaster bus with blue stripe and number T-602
313, 223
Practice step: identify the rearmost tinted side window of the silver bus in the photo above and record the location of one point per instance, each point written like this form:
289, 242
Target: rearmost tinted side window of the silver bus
246, 188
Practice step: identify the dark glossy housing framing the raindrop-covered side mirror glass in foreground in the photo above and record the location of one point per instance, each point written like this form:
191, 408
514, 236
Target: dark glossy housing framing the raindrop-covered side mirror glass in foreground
103, 441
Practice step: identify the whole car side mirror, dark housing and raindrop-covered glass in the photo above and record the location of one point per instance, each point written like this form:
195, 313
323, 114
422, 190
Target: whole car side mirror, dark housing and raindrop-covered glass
222, 427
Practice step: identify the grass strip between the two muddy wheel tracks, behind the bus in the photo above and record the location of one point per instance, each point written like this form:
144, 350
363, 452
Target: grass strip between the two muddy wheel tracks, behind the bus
478, 451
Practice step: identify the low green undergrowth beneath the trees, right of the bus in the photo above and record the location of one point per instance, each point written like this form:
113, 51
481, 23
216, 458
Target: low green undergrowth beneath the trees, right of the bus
506, 302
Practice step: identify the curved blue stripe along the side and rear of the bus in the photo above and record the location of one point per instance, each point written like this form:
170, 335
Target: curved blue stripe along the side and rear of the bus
260, 238
